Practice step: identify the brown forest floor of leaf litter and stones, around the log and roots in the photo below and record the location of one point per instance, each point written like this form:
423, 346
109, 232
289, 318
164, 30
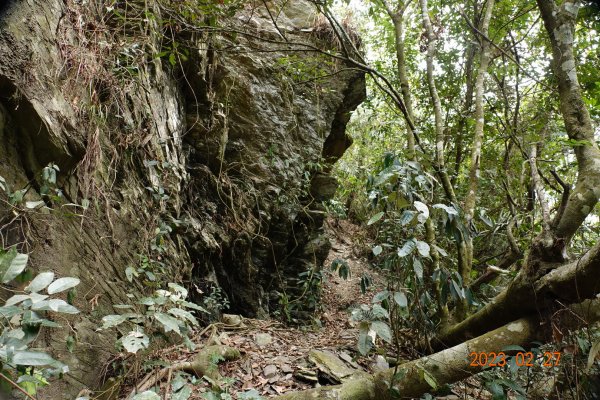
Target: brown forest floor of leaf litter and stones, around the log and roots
276, 358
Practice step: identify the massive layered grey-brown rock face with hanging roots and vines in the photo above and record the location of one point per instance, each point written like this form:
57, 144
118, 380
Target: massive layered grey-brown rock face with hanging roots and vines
197, 150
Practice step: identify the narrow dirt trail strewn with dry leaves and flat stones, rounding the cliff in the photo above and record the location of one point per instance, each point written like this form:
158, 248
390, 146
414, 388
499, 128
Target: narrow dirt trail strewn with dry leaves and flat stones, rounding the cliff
274, 368
